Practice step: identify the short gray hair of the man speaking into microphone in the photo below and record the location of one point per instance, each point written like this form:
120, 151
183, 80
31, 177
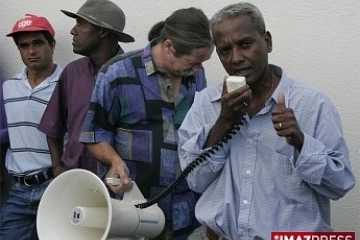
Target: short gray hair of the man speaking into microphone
237, 9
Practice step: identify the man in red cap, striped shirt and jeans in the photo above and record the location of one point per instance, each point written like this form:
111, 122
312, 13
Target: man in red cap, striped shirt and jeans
26, 96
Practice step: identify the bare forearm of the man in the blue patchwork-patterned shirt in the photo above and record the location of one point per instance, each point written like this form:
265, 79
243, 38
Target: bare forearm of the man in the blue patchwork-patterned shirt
104, 152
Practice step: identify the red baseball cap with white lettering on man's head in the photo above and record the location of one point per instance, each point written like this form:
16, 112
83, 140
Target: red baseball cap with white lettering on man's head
31, 23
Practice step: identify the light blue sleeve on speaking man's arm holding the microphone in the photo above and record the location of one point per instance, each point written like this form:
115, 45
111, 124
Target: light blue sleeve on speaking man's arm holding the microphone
193, 134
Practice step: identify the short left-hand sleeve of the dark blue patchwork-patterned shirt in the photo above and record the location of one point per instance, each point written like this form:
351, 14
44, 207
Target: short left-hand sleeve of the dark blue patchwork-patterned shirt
104, 111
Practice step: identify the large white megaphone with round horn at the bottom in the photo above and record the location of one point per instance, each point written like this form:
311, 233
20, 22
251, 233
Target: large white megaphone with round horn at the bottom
77, 205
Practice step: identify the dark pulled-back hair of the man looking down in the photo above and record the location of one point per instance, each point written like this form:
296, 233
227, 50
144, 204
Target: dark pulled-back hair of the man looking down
187, 29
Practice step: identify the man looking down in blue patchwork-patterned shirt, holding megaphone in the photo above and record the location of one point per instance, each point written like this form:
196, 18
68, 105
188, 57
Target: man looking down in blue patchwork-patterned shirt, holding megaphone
139, 102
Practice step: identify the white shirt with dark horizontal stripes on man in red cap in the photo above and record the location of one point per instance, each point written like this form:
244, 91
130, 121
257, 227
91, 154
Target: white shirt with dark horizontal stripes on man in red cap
24, 106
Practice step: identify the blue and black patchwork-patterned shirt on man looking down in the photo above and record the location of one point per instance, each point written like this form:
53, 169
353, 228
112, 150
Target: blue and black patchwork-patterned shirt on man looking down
133, 108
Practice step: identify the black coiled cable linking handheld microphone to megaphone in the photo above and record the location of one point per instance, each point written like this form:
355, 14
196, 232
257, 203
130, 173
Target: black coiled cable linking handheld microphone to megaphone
189, 168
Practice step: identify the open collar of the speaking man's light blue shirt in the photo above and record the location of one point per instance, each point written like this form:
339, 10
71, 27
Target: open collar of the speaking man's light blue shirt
284, 85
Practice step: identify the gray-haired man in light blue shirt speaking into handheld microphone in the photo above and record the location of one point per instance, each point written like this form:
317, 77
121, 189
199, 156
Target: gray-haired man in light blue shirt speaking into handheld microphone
271, 154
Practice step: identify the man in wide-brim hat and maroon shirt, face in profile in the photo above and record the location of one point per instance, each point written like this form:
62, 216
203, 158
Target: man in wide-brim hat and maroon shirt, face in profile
99, 27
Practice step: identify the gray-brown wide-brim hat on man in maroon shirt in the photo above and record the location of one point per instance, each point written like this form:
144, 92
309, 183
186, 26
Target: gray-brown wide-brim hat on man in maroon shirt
105, 14
